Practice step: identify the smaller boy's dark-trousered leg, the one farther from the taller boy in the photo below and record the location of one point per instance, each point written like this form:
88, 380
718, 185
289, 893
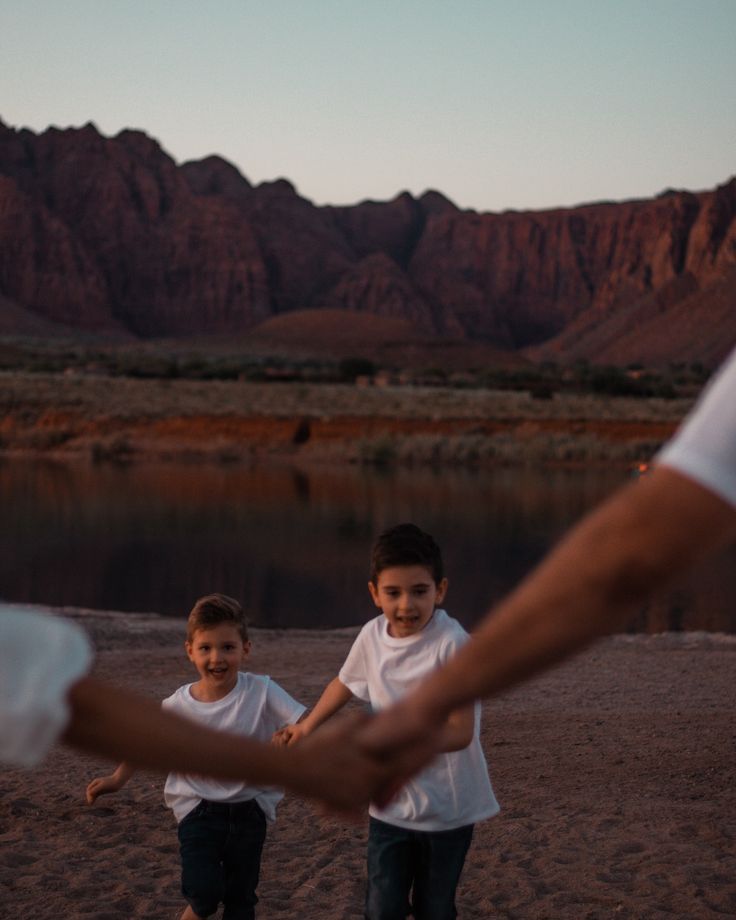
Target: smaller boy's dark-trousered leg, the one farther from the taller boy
201, 839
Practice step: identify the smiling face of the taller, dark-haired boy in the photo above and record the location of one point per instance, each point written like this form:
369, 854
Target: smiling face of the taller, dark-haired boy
407, 595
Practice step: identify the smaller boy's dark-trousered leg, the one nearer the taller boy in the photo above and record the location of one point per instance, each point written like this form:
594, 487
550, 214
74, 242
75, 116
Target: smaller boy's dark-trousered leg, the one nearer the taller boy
242, 860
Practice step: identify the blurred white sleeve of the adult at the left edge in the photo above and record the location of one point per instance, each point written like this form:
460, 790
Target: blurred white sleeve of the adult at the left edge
41, 656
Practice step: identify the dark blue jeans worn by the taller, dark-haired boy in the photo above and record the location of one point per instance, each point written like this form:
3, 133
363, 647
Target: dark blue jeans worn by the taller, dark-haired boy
426, 864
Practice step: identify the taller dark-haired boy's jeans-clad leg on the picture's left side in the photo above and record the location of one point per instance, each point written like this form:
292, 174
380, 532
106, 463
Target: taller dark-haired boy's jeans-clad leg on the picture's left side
389, 871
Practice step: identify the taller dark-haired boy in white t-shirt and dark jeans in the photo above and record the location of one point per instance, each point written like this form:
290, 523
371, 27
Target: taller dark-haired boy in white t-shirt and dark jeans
418, 842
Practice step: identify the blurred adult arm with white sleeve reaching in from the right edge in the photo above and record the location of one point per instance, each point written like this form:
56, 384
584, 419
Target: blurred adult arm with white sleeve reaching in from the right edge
590, 584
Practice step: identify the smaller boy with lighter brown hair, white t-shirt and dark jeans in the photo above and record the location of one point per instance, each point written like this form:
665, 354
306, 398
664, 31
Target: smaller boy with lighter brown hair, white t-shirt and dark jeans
222, 825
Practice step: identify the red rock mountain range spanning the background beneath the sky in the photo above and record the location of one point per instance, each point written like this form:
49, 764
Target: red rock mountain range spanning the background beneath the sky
109, 235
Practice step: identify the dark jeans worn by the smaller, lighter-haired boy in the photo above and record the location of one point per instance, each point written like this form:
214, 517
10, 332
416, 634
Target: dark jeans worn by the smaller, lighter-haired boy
220, 846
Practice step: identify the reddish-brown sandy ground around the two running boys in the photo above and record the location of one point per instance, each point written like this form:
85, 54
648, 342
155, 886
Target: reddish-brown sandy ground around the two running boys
616, 775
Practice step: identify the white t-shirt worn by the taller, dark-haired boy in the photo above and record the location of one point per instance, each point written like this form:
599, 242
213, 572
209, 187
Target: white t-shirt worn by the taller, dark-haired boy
454, 790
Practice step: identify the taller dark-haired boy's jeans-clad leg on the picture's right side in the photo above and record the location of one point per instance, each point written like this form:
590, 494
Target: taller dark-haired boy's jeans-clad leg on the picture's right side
440, 860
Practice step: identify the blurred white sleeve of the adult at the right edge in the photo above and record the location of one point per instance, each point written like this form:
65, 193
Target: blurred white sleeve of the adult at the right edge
704, 447
